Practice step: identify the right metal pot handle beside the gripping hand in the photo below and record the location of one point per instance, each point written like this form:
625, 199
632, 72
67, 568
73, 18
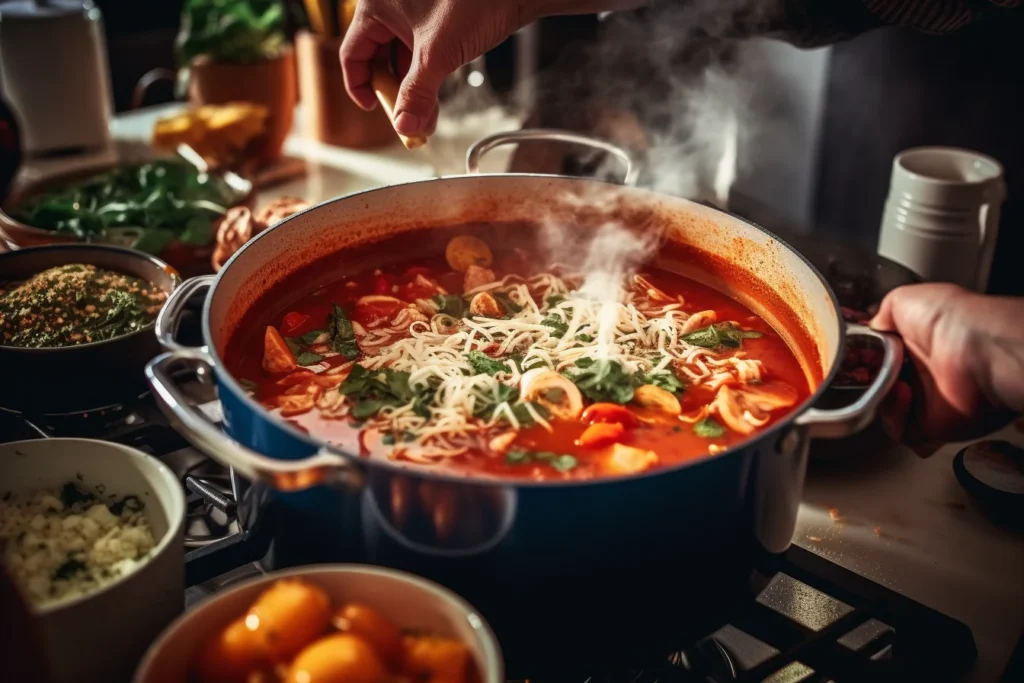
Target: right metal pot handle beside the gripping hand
851, 419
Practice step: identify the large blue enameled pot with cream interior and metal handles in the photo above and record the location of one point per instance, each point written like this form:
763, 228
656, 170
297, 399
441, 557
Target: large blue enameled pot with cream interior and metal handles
583, 575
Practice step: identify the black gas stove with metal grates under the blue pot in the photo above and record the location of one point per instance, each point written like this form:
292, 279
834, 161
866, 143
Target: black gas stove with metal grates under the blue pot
816, 621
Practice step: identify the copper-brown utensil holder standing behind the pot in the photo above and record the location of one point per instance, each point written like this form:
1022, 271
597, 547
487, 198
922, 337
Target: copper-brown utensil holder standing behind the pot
329, 115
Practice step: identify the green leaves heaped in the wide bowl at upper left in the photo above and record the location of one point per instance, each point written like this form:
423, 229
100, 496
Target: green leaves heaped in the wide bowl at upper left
147, 204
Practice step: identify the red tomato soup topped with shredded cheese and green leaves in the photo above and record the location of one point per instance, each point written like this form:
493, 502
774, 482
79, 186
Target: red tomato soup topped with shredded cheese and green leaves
502, 367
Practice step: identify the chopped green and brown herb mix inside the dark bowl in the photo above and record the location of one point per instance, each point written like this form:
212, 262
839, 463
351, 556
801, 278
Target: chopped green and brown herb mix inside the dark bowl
75, 305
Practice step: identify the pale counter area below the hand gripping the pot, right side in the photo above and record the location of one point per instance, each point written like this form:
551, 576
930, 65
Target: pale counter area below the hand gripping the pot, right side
907, 523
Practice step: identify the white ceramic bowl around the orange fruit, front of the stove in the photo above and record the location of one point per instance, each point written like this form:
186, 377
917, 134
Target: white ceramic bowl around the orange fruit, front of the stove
408, 602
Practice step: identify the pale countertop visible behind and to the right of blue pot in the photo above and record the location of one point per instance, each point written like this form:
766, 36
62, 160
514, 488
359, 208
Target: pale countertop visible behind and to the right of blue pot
904, 522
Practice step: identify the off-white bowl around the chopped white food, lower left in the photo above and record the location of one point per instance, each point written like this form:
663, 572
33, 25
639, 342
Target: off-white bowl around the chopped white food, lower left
102, 636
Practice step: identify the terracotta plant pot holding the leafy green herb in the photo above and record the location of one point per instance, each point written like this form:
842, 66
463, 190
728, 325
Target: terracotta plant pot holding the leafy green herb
271, 83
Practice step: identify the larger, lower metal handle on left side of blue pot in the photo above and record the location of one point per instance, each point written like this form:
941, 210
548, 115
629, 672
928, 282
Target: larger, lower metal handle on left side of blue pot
287, 476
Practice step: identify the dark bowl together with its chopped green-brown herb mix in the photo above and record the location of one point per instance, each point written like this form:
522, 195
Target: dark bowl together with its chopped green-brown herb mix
77, 326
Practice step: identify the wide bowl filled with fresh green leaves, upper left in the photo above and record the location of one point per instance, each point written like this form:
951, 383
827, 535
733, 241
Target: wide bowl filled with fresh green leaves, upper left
163, 207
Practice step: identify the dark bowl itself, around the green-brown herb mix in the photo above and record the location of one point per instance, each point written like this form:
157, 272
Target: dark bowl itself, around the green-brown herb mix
87, 377
